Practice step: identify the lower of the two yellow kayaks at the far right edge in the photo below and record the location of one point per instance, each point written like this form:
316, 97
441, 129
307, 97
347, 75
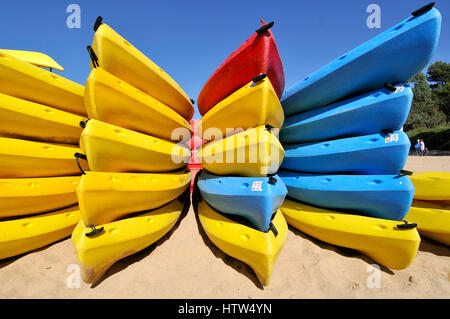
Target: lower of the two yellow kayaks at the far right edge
432, 219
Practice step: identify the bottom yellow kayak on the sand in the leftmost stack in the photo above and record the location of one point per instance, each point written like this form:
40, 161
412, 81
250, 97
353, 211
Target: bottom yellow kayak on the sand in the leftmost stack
22, 235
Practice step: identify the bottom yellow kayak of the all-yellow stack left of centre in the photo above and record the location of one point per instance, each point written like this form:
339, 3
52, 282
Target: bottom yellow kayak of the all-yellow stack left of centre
119, 239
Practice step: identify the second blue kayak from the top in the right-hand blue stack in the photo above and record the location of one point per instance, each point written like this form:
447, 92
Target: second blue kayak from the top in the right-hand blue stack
363, 115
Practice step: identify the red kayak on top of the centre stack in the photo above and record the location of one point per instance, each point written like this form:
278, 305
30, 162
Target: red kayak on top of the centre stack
259, 54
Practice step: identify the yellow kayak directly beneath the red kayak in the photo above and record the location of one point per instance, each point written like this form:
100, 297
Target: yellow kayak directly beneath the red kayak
255, 104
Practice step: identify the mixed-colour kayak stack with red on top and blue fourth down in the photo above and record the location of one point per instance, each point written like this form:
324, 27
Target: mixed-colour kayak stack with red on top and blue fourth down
240, 199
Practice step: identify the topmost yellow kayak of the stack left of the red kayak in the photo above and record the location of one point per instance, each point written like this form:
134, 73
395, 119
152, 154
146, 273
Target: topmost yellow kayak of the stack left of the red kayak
116, 55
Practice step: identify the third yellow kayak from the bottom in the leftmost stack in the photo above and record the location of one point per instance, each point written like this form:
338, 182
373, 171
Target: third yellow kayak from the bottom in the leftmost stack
22, 158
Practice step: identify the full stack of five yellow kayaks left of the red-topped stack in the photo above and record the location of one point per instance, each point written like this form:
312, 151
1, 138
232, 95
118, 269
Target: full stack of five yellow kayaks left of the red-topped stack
133, 143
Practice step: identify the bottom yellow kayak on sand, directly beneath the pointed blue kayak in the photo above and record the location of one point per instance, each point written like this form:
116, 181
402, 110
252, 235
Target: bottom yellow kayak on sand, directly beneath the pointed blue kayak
257, 249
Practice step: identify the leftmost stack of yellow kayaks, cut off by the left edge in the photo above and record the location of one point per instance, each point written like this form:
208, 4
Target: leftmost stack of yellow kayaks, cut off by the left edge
39, 134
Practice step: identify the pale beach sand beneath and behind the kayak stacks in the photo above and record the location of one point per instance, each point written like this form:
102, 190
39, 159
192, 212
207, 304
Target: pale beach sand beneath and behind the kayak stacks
184, 264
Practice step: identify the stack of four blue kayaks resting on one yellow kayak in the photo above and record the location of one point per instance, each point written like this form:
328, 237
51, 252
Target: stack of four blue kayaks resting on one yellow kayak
343, 139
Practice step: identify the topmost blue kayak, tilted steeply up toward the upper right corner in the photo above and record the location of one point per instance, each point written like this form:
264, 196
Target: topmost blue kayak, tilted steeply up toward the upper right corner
393, 56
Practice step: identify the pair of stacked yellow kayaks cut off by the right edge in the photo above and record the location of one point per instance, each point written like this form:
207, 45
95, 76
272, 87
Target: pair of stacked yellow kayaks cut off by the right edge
431, 206
